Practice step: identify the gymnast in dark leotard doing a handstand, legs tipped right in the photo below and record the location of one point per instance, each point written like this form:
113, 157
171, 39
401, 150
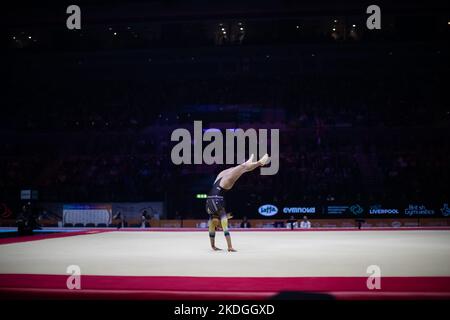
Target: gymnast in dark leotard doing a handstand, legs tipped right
215, 202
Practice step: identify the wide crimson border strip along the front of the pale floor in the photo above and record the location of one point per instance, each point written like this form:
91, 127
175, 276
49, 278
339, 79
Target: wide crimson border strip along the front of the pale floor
29, 286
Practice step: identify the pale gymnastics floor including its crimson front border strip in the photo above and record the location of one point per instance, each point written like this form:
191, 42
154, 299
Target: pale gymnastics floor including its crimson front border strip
180, 265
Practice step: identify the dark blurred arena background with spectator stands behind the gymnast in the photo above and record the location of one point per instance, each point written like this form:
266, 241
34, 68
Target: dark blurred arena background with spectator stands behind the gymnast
363, 116
